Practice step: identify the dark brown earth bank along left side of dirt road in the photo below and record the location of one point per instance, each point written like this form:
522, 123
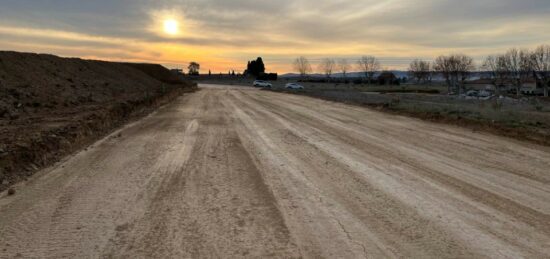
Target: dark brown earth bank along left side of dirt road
52, 106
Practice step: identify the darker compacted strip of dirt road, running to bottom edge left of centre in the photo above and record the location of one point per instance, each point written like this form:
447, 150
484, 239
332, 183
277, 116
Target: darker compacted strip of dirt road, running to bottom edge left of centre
213, 204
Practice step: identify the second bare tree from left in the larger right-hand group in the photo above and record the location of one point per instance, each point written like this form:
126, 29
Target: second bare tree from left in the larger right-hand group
456, 69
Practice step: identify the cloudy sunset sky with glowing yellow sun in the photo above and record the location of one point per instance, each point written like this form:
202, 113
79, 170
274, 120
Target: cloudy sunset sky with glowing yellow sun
222, 35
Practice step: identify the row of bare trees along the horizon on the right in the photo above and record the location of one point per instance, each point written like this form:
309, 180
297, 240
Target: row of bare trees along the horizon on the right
515, 66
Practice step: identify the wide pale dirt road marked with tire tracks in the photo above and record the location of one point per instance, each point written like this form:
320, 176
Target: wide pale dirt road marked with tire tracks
238, 172
